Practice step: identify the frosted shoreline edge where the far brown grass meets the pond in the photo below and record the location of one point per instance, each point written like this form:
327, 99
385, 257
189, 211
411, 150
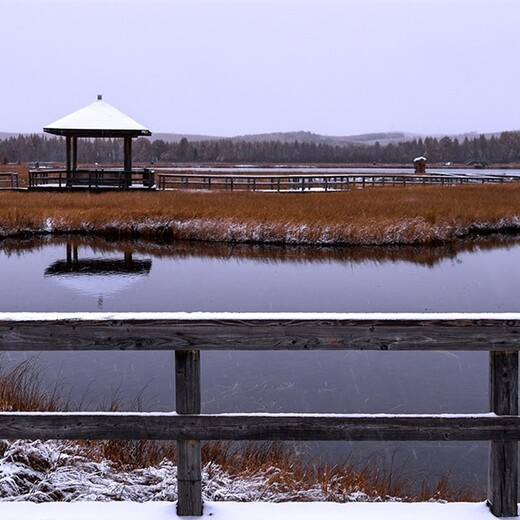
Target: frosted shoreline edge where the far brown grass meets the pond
407, 233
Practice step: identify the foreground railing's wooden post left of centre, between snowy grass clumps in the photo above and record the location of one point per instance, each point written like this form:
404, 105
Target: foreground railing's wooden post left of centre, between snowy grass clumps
187, 397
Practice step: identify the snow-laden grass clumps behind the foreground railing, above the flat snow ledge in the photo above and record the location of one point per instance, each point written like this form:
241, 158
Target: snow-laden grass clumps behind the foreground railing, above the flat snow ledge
38, 471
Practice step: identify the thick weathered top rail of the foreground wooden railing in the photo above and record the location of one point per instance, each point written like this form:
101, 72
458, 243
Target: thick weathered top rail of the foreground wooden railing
236, 333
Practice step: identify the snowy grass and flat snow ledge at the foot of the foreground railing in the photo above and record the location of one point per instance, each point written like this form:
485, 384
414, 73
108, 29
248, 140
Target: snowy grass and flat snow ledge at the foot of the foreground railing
55, 480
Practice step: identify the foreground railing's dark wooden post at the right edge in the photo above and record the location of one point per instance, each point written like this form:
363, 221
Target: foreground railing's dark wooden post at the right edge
503, 455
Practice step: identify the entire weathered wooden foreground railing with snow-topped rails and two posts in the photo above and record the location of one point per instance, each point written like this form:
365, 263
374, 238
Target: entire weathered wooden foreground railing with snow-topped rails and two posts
189, 334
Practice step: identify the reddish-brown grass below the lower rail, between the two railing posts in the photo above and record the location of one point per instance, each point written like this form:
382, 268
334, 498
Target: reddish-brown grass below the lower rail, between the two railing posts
287, 473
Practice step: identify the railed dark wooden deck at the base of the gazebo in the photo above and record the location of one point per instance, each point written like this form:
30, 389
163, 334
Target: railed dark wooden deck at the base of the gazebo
94, 179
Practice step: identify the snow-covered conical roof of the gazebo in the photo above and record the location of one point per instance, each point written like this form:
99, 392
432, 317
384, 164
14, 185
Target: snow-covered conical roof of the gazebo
97, 119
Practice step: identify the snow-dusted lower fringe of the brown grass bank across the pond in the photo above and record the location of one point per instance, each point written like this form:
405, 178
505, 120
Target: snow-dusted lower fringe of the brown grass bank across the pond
405, 231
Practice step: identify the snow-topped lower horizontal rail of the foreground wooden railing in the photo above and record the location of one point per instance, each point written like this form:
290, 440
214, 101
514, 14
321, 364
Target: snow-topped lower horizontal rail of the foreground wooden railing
157, 426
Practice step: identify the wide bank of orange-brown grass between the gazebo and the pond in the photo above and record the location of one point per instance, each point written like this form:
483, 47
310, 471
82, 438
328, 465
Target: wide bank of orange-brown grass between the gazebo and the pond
375, 216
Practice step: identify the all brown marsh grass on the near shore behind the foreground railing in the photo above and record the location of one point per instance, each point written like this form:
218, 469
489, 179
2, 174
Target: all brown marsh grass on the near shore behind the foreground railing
275, 467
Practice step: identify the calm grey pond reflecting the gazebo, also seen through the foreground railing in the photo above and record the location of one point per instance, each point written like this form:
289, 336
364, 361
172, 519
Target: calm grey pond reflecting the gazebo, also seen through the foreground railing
72, 274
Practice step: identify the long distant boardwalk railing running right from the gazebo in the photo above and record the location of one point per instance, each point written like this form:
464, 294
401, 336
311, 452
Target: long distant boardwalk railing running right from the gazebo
314, 181
